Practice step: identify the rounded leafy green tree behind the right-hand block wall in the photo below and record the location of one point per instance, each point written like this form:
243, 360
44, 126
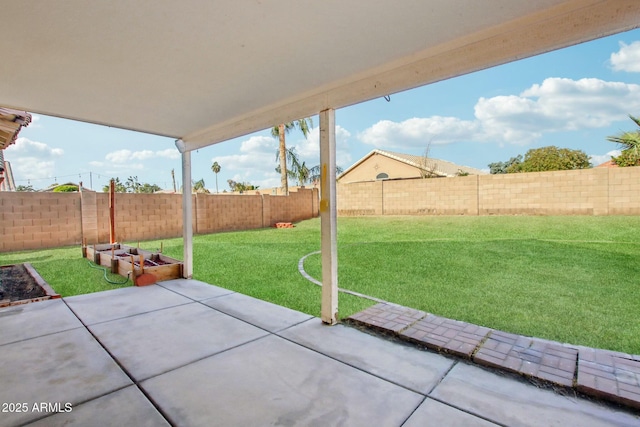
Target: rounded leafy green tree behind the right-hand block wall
544, 159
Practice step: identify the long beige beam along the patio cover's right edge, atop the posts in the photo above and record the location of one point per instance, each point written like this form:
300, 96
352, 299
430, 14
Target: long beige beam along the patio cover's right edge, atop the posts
565, 25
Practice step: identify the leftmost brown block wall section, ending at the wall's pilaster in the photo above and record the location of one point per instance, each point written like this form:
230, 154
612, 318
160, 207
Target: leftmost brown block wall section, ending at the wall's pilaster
39, 220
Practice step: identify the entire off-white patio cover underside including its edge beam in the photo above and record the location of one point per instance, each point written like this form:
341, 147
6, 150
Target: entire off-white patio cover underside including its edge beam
205, 71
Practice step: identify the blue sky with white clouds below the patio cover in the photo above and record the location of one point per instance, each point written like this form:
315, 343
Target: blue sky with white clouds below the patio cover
570, 98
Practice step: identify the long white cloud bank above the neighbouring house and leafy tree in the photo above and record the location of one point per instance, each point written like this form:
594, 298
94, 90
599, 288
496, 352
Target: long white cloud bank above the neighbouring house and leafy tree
557, 104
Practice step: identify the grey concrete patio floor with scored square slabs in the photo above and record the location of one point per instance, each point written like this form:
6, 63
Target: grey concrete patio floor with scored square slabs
186, 353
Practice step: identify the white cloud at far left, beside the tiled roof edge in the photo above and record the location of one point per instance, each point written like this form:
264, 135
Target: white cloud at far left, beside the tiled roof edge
32, 159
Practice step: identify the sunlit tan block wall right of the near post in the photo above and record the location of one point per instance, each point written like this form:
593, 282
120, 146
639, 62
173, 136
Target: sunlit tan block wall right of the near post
598, 191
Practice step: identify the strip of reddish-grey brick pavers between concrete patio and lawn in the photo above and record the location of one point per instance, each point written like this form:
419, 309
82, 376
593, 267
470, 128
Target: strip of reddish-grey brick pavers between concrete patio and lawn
605, 374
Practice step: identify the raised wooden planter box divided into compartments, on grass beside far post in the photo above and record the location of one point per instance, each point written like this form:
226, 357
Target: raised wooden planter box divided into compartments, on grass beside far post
142, 267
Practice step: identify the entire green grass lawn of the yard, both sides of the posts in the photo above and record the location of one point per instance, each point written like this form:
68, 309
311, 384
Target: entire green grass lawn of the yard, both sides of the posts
571, 279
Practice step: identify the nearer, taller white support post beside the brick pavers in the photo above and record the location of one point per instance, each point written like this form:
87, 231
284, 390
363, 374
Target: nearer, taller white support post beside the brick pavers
328, 217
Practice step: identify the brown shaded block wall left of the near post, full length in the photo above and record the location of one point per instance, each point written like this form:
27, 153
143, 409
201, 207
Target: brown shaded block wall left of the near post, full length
45, 220
